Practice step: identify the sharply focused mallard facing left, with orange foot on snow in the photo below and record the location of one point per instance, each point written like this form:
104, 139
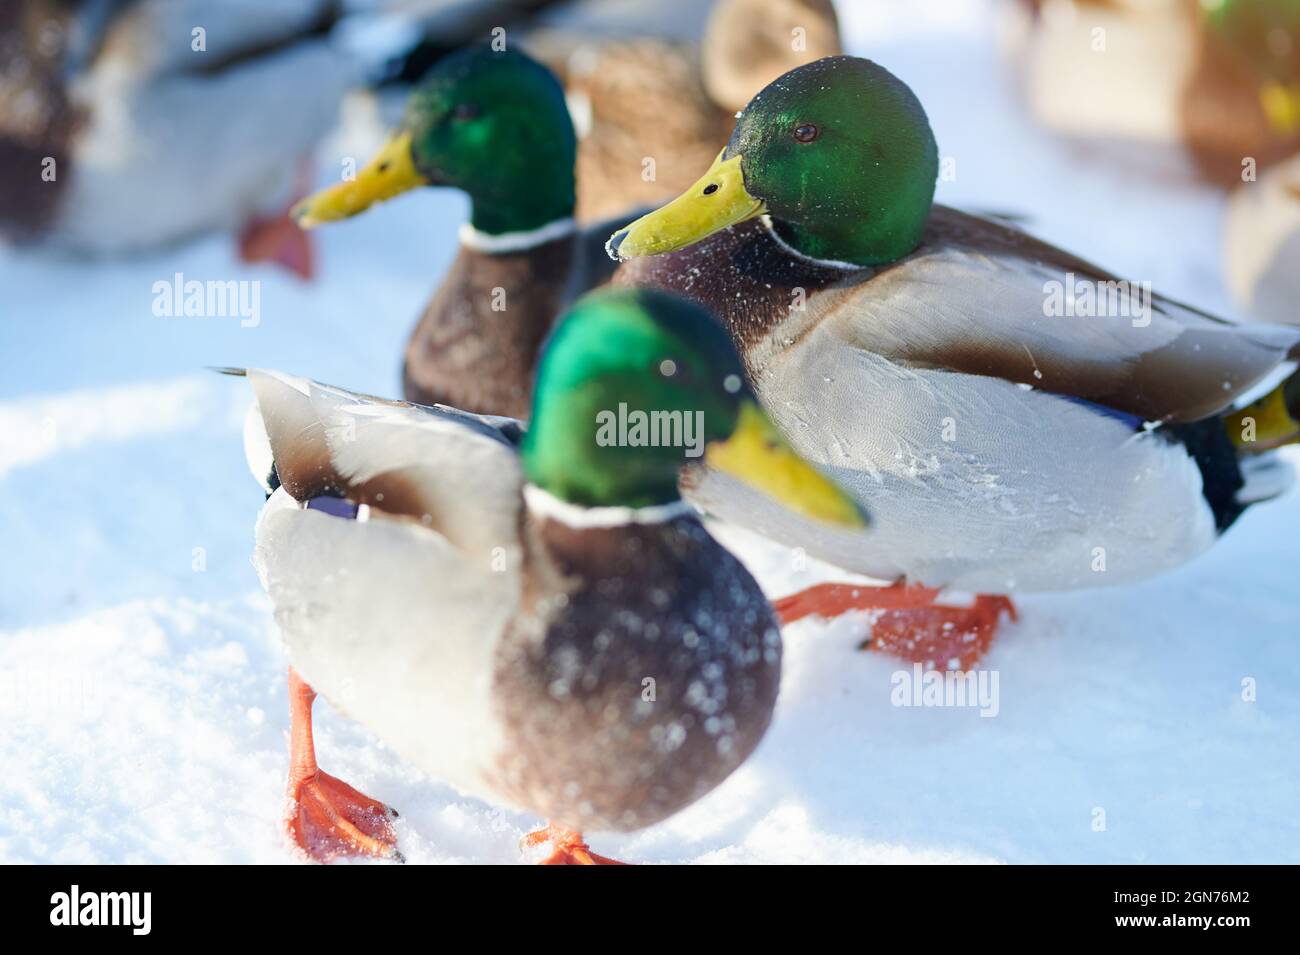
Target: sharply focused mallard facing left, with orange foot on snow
1011, 436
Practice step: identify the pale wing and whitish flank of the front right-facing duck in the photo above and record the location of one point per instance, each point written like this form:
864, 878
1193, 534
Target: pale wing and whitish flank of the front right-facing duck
392, 557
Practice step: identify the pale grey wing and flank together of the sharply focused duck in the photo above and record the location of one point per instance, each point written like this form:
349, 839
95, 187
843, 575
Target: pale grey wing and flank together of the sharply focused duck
976, 483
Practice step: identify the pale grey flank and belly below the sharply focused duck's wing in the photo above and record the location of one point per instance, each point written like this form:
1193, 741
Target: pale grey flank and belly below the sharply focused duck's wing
1035, 493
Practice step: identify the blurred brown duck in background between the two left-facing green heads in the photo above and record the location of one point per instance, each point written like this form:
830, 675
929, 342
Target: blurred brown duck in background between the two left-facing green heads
643, 98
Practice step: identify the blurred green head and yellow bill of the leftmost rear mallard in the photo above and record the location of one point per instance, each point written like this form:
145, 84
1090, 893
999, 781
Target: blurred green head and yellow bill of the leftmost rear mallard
491, 123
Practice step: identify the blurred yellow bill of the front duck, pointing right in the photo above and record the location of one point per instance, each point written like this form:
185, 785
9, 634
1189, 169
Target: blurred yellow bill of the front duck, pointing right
759, 455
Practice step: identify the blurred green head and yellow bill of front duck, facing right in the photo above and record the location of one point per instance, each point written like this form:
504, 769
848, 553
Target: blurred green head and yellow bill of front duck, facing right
632, 387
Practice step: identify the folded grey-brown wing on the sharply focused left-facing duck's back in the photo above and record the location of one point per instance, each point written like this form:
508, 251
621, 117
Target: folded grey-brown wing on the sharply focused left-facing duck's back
983, 298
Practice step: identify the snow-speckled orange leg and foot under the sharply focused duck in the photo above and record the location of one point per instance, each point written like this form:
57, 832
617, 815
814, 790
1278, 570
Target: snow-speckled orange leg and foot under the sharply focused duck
911, 626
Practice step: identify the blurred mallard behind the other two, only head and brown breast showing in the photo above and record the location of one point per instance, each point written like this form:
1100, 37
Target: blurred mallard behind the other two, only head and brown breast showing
493, 124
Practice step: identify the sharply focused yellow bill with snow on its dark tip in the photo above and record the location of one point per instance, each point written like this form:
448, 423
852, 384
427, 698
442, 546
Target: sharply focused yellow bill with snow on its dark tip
717, 201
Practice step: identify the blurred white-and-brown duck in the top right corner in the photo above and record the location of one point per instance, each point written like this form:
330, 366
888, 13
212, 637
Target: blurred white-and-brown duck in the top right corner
1217, 80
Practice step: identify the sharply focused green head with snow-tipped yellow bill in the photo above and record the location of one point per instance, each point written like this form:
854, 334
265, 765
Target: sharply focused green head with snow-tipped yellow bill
839, 153
